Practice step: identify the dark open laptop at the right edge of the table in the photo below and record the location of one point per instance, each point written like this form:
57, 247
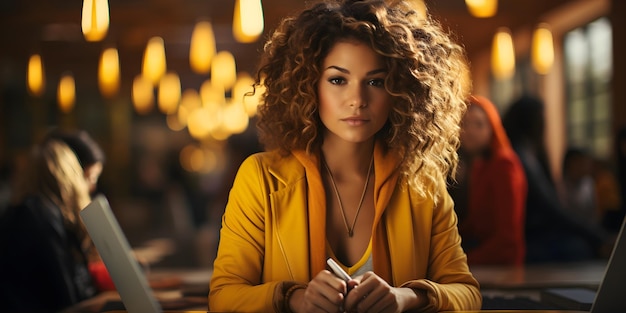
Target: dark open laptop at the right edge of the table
609, 297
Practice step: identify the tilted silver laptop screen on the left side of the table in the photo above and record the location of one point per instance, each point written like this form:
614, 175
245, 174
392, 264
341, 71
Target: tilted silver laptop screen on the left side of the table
118, 257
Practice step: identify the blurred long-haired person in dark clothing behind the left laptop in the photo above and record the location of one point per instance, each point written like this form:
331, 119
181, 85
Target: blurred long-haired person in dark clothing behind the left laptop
47, 252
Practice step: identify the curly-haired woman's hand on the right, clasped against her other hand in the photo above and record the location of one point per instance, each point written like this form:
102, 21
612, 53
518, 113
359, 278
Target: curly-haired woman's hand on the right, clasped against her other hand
373, 294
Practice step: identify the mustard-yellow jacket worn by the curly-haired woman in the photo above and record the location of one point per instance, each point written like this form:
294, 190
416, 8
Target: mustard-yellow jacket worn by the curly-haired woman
273, 236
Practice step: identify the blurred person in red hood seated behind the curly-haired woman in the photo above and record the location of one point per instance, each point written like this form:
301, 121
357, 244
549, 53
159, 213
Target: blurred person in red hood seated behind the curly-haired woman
491, 191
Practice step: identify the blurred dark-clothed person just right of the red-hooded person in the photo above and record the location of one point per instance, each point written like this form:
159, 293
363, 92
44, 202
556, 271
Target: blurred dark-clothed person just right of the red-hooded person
552, 233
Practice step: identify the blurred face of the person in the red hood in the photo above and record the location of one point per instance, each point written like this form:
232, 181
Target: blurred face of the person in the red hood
476, 131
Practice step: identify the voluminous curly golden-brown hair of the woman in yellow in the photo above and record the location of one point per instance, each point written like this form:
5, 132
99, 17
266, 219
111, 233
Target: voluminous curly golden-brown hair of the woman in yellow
427, 80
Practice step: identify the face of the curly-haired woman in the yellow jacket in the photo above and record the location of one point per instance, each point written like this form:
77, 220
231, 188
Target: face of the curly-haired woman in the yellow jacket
353, 102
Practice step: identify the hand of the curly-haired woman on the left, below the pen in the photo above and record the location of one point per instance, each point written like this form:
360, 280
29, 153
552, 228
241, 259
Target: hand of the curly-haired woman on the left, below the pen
325, 293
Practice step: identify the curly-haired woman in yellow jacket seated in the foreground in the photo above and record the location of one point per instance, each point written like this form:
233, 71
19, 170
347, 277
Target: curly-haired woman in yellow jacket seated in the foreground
360, 117
